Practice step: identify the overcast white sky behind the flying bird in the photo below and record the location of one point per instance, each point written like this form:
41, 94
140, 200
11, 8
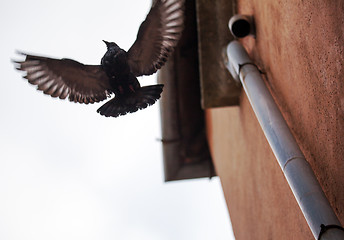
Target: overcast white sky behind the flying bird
68, 173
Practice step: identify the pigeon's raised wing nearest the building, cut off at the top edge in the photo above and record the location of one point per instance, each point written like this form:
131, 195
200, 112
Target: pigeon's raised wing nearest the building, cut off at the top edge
157, 37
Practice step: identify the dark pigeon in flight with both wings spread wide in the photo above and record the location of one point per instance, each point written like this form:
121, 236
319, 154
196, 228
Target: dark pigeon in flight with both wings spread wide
156, 39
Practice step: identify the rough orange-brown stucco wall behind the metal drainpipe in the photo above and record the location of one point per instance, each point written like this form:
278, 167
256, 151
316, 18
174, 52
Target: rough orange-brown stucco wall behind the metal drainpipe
299, 45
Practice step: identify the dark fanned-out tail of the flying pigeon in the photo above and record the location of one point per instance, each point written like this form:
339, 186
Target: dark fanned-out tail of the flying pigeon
121, 105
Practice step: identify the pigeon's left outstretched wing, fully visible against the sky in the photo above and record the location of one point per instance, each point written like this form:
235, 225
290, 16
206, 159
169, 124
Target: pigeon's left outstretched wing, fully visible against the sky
66, 77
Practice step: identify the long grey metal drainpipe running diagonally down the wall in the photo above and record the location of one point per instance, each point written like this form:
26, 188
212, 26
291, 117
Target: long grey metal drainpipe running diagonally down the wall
313, 203
